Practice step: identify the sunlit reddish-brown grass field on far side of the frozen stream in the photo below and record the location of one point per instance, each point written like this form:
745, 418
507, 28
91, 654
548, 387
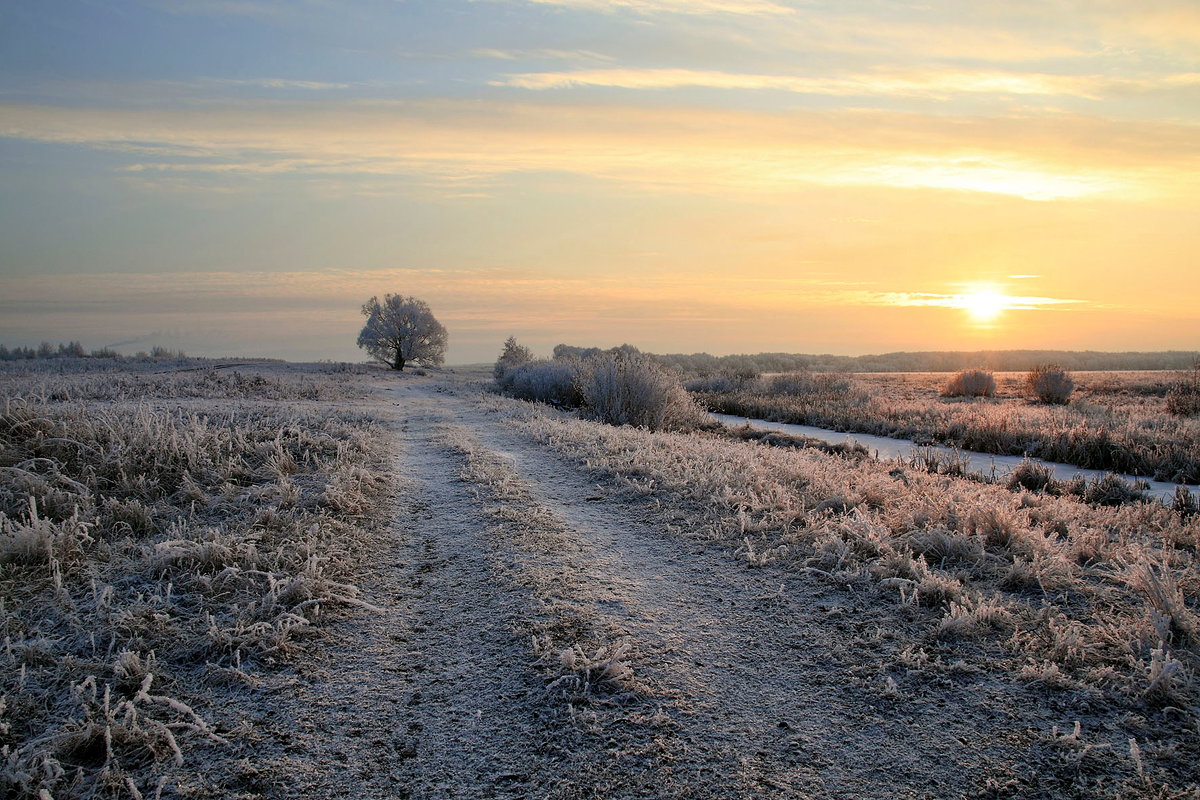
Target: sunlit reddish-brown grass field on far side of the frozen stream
1115, 422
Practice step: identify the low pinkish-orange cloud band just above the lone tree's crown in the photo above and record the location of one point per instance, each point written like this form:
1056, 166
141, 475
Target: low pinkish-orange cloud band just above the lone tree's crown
501, 296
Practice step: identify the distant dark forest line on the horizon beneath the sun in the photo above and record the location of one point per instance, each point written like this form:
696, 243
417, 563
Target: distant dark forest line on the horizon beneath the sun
703, 364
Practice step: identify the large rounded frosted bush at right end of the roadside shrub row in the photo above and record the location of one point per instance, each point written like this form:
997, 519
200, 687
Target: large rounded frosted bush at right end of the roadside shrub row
629, 389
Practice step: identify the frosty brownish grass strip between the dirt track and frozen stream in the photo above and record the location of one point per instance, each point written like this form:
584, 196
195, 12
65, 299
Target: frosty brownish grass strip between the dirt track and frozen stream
1094, 606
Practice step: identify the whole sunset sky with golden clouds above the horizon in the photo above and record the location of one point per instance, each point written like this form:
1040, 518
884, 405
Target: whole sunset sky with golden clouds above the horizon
847, 177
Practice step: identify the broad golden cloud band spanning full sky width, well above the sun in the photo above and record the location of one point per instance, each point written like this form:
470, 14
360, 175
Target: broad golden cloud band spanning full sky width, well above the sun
466, 148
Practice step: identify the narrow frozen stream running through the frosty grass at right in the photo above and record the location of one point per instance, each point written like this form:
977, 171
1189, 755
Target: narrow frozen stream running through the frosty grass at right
885, 448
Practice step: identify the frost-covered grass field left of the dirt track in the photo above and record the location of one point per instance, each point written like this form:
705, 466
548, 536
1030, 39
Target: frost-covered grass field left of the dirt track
166, 528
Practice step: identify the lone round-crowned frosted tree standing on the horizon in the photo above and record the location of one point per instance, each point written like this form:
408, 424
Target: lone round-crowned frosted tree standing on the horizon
400, 330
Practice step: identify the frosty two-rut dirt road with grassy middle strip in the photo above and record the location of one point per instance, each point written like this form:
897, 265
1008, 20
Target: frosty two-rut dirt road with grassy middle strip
541, 635
